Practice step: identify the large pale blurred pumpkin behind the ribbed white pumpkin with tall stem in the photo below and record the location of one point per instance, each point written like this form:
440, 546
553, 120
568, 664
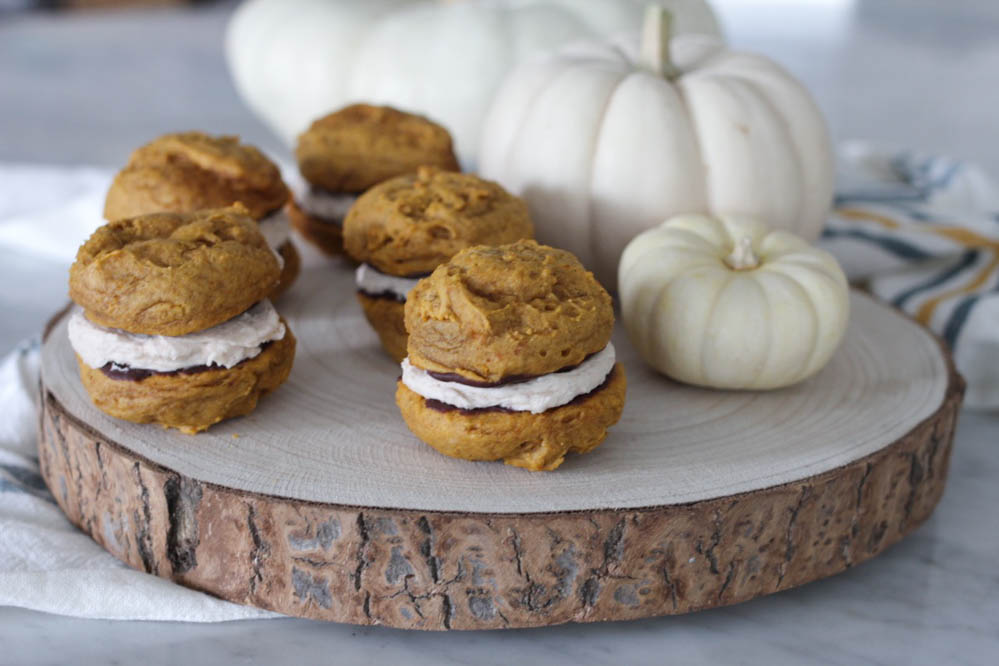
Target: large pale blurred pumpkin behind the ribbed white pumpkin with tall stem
295, 60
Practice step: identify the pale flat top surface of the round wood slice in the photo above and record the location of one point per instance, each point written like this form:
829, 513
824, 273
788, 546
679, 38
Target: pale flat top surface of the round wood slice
332, 434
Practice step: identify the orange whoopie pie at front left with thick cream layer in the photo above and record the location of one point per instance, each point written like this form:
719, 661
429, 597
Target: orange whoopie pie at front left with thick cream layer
174, 326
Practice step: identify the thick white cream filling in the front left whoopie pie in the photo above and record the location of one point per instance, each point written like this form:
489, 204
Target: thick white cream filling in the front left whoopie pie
226, 344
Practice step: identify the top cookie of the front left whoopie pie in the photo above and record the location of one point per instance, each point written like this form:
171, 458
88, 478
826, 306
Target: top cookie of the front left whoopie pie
173, 273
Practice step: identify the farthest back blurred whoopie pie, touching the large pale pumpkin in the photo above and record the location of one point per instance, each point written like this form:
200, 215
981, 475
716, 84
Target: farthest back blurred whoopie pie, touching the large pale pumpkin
351, 150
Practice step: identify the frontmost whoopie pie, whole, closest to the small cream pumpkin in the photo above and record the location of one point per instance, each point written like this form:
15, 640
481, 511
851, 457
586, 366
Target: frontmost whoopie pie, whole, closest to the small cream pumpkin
510, 357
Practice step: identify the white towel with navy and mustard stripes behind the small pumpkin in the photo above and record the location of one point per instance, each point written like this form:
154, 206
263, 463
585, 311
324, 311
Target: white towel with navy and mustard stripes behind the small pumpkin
922, 233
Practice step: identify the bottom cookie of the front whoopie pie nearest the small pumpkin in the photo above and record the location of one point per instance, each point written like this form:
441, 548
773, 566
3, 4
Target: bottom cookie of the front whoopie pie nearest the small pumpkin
538, 442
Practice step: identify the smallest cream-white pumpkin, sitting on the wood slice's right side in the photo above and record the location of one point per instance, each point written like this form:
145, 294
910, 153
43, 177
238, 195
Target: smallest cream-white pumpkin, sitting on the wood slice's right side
728, 303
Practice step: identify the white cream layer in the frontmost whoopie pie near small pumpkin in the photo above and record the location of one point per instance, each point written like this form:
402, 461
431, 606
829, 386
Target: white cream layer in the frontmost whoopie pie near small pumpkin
536, 395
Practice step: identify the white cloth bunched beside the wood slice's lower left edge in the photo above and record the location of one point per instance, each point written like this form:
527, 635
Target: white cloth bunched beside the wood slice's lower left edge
46, 564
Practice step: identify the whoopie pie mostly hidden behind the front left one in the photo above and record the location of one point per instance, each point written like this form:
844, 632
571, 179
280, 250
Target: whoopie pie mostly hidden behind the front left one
189, 171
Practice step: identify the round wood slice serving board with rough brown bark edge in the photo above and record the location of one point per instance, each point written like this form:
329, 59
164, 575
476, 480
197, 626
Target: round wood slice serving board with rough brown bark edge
322, 504
